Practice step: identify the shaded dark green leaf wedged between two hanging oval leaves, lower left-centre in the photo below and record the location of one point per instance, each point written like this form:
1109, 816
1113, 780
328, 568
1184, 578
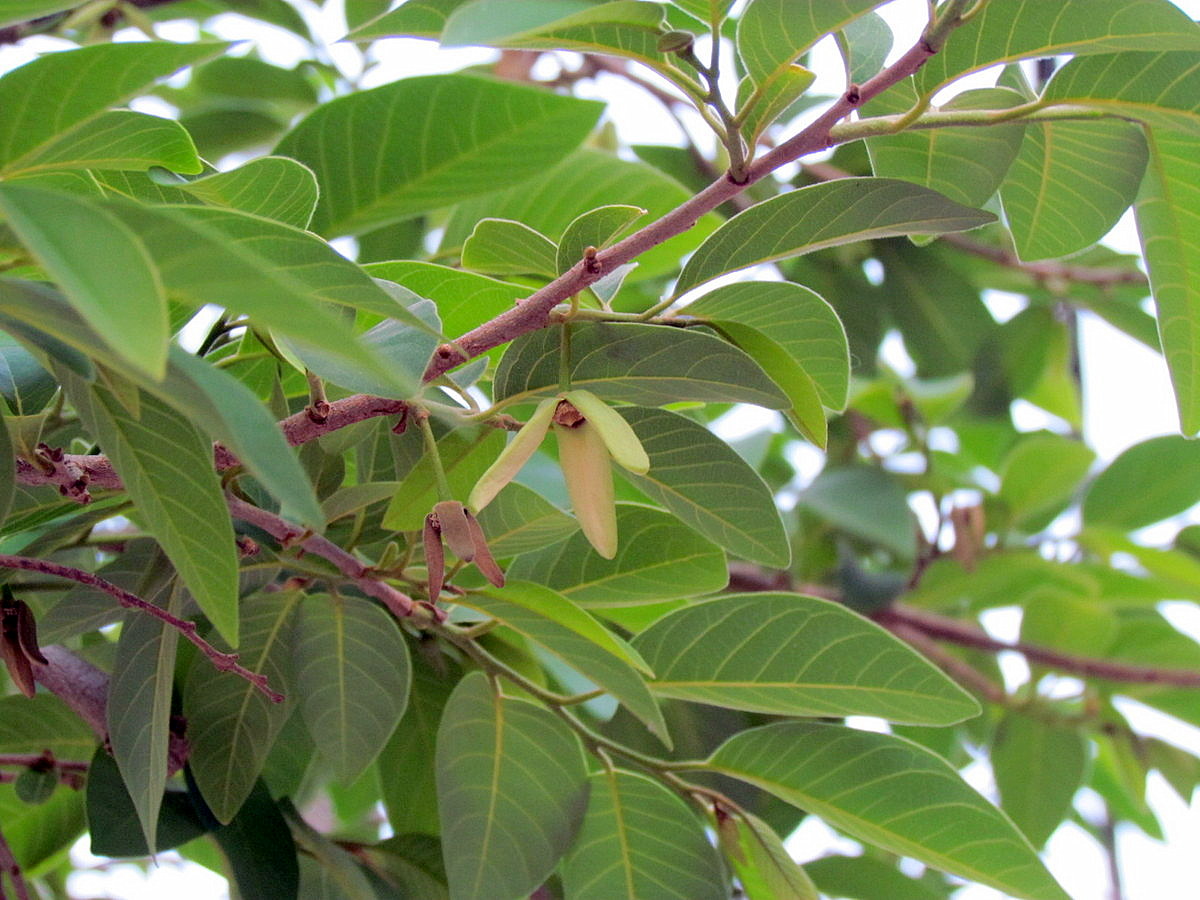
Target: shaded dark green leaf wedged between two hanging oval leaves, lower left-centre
412, 801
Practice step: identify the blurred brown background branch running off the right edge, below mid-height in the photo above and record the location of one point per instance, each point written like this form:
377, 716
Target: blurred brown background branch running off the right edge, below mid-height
965, 635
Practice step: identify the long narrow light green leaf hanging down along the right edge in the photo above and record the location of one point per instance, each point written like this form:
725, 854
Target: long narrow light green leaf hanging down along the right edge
1171, 243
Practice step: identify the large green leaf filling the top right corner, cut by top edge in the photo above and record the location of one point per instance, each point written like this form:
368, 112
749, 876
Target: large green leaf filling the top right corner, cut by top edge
1007, 31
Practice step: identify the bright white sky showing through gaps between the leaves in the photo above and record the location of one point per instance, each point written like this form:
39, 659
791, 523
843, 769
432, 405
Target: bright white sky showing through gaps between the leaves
1127, 398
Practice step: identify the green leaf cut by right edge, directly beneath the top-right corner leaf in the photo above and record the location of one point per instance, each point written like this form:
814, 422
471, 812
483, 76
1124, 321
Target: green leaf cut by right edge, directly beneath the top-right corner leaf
1161, 89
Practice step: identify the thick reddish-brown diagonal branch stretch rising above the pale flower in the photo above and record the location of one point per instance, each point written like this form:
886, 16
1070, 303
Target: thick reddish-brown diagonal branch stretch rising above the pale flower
535, 311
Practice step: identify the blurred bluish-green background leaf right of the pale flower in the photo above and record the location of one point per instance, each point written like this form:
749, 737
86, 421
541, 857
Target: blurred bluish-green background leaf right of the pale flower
867, 502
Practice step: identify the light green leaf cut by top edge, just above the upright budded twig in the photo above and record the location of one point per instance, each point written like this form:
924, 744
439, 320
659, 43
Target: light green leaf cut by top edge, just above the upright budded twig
773, 34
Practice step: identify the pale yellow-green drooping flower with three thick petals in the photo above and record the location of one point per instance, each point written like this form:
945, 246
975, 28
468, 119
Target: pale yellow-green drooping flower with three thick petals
591, 435
